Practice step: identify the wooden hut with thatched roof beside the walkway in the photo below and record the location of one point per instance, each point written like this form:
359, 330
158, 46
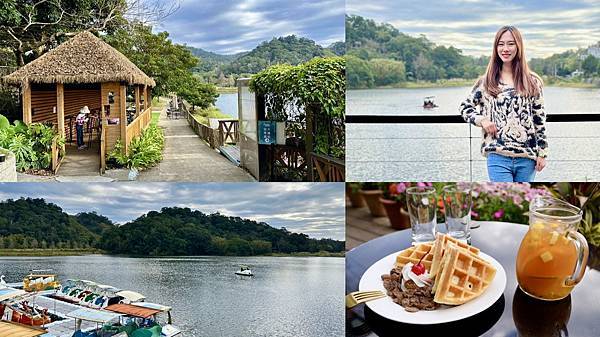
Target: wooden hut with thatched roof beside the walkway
86, 71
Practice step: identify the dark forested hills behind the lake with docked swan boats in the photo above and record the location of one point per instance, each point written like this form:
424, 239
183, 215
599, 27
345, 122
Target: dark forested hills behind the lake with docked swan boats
34, 223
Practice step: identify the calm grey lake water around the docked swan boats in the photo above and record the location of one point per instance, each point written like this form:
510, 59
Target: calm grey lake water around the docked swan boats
289, 296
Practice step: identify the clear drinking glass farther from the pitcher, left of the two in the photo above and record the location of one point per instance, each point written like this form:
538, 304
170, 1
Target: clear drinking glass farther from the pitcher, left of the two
421, 204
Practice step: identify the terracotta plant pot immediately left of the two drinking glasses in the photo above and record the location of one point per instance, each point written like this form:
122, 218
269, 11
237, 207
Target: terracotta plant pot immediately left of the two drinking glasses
394, 202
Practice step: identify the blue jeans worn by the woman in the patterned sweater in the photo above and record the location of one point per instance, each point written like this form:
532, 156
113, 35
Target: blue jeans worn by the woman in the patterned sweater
502, 168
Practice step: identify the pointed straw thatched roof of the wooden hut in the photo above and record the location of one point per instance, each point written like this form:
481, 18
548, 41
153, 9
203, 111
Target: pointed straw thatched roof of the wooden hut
82, 59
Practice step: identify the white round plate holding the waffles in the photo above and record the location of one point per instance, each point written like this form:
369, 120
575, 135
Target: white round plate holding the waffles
385, 307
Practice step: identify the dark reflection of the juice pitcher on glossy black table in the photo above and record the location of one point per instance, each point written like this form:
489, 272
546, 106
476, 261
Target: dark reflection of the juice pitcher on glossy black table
536, 318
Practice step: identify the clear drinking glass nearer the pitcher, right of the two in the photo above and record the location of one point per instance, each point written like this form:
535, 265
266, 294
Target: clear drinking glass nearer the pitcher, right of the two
457, 210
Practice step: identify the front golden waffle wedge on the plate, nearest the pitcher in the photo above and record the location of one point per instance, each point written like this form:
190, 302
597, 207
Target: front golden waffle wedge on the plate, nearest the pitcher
462, 276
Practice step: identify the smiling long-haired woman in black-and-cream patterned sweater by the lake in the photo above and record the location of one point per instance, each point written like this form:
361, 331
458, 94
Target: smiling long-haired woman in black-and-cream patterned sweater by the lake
507, 103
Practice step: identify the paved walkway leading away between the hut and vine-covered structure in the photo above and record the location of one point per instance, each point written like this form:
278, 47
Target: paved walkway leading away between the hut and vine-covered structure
187, 158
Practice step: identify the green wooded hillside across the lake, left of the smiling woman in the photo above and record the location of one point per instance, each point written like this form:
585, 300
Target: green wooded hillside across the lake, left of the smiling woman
369, 43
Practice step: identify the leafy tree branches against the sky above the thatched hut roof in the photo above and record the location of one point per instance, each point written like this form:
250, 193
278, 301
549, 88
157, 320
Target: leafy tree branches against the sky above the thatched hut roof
36, 26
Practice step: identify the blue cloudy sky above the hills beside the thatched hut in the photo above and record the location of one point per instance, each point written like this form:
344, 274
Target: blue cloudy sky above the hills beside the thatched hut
232, 26
